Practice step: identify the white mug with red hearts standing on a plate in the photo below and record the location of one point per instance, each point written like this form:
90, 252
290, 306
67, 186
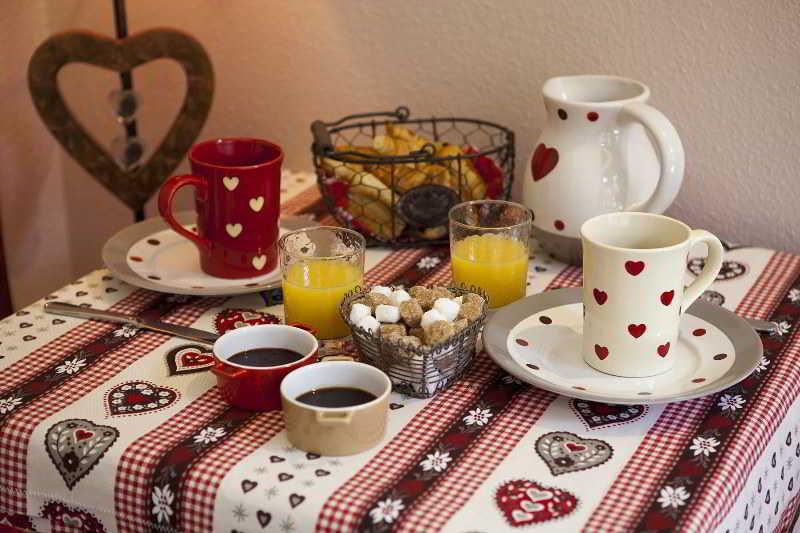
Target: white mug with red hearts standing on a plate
633, 293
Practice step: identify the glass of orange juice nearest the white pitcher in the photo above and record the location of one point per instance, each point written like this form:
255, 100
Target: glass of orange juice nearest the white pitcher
489, 248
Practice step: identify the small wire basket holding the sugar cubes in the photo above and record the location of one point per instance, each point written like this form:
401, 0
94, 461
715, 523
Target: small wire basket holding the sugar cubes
422, 371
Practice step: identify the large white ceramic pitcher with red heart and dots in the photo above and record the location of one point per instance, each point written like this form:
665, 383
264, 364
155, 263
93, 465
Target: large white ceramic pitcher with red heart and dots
594, 156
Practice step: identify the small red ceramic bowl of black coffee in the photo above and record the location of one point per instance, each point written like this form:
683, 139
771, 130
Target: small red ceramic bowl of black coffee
247, 383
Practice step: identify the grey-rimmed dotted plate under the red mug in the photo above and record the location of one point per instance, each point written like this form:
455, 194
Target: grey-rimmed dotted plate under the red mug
151, 255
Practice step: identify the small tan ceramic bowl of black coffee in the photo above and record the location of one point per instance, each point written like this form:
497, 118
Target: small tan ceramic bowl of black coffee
338, 430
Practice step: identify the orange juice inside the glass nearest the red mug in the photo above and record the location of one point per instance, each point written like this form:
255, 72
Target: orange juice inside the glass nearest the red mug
313, 290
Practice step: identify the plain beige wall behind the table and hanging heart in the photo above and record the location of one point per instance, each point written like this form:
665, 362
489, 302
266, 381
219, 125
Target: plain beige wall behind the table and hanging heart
727, 73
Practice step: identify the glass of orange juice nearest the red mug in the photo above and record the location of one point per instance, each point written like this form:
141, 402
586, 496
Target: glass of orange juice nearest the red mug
319, 266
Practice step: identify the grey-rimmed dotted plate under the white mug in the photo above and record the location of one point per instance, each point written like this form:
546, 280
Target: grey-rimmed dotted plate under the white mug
538, 340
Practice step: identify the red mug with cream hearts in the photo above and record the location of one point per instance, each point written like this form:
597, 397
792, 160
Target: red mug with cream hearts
237, 197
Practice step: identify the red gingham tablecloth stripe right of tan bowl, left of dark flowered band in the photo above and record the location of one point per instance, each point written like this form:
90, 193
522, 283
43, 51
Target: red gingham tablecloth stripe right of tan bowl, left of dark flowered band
345, 508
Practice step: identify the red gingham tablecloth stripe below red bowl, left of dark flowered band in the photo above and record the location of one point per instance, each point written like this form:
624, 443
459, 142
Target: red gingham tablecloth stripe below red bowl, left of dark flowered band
134, 471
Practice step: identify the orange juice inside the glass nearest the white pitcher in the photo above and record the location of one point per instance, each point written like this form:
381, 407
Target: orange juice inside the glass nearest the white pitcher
496, 264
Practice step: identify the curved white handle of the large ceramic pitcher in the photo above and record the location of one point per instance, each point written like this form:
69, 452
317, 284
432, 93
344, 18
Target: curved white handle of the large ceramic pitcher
670, 155
